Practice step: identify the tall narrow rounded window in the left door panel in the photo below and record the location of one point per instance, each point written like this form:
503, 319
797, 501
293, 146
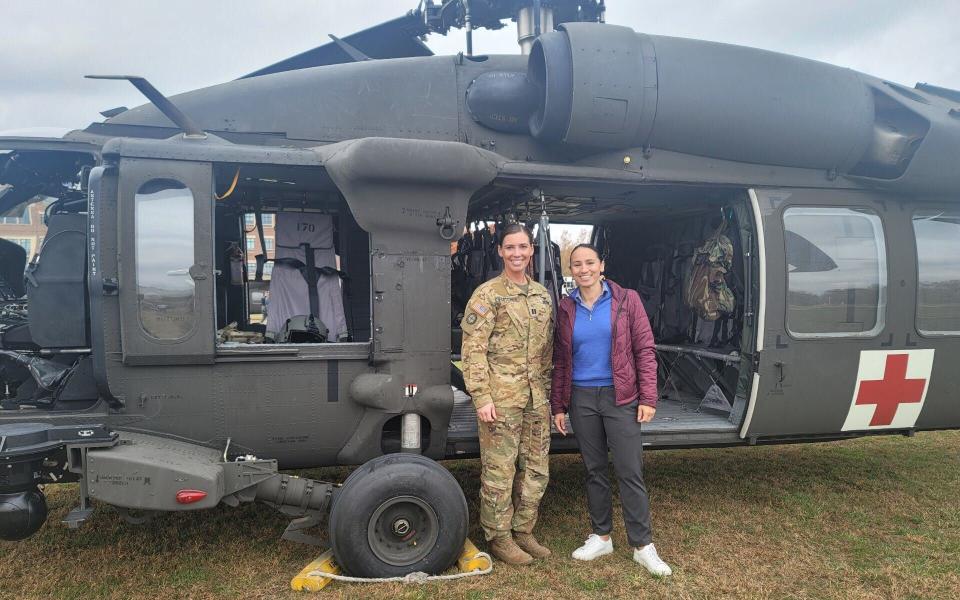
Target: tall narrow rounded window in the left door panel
164, 254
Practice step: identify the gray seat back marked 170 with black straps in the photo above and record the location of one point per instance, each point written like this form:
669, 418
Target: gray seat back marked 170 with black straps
304, 250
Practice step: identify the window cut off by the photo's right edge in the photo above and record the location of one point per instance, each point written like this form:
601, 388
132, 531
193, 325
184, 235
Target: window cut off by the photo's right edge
938, 274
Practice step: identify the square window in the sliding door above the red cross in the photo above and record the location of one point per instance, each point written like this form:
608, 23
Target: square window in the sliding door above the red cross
836, 272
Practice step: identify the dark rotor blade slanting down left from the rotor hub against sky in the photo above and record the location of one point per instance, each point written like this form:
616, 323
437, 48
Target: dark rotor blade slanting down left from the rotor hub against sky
398, 38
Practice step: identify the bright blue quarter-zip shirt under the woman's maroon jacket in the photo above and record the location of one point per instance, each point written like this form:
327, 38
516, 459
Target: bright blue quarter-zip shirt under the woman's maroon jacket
592, 343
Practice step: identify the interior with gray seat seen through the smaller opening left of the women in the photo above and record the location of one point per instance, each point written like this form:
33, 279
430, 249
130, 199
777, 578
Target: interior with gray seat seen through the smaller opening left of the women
285, 246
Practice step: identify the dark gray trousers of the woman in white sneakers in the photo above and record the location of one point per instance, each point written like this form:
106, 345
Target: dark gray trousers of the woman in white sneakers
600, 425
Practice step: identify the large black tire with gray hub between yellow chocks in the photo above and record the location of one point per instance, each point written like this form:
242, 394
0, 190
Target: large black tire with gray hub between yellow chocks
397, 514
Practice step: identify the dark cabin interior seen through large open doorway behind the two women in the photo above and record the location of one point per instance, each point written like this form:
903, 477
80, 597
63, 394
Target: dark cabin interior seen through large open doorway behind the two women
651, 240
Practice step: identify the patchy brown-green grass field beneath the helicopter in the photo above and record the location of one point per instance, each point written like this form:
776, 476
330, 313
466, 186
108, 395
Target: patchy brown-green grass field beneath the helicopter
871, 518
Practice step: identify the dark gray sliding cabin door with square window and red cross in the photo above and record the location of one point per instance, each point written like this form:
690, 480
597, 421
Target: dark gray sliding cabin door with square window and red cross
838, 349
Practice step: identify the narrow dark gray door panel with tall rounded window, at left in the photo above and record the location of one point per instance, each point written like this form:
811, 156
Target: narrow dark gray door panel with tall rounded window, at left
166, 277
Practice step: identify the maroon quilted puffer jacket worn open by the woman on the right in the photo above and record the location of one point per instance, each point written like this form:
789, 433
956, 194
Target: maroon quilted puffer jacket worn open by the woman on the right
633, 358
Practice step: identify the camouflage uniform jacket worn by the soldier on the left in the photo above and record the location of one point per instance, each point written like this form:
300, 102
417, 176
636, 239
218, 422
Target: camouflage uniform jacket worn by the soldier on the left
508, 344
